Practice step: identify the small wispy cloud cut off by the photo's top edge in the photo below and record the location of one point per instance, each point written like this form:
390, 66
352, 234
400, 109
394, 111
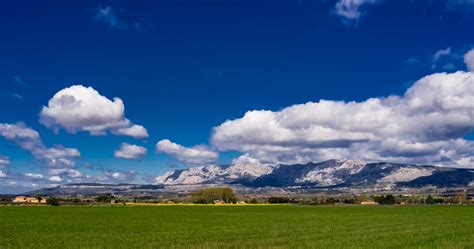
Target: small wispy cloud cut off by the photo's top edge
351, 10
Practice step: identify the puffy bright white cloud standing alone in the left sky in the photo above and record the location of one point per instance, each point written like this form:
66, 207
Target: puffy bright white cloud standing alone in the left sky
79, 108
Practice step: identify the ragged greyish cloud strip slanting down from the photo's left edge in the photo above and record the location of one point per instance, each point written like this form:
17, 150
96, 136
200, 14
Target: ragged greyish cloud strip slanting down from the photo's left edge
30, 140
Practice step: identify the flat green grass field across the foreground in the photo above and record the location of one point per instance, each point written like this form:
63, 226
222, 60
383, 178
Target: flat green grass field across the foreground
237, 227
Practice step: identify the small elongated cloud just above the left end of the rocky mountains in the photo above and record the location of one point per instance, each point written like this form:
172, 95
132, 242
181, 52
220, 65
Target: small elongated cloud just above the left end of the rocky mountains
197, 155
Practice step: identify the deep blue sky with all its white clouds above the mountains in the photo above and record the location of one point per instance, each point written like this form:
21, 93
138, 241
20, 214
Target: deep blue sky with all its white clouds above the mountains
124, 91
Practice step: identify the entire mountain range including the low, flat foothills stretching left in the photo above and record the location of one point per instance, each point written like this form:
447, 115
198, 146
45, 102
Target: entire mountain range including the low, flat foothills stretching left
345, 175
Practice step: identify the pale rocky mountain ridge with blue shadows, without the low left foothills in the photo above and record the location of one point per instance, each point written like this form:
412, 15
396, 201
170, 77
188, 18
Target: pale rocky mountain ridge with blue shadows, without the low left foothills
328, 174
